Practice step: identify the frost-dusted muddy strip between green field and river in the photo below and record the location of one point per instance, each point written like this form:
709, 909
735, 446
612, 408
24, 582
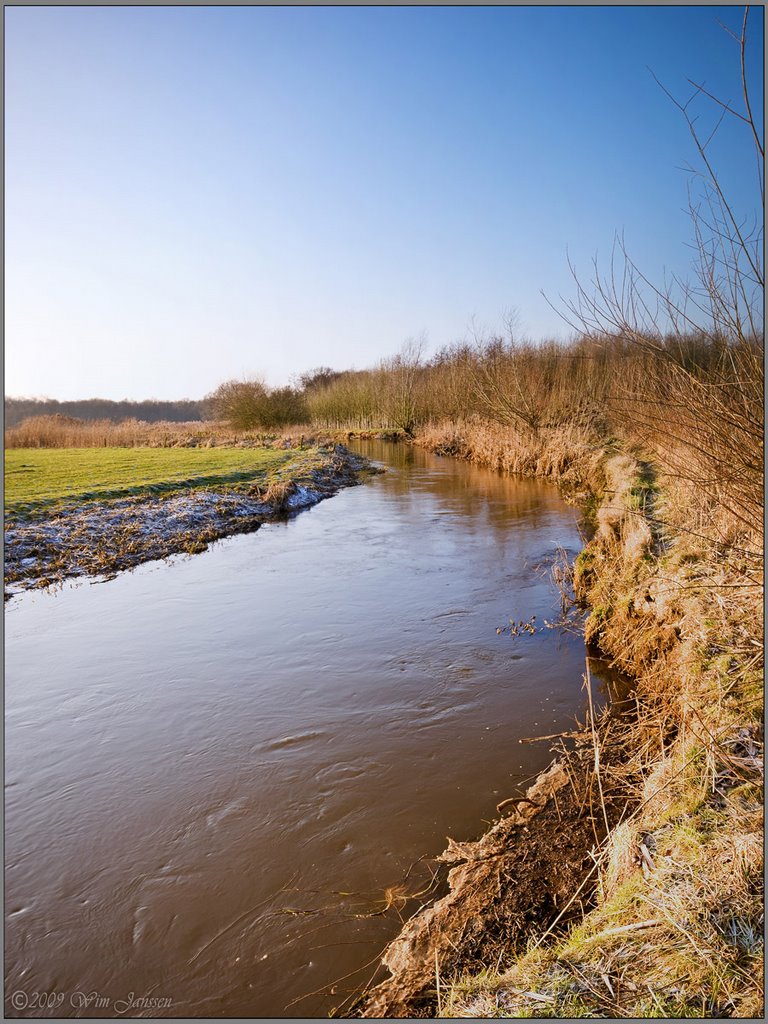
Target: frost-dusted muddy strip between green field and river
100, 539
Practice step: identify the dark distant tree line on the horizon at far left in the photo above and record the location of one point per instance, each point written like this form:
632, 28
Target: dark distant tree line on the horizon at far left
151, 411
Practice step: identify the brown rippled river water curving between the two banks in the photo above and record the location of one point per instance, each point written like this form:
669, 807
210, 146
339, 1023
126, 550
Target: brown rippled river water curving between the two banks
218, 767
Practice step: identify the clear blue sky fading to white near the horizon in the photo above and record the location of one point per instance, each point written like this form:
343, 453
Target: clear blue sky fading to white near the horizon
200, 194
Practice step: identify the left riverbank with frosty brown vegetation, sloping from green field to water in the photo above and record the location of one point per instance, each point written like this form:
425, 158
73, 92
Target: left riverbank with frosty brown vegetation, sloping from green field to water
98, 535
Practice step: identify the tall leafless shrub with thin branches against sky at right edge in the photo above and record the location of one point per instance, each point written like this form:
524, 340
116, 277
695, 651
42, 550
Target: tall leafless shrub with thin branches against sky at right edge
699, 404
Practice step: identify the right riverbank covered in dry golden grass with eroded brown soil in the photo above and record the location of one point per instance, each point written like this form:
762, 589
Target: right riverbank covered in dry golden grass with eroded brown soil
634, 888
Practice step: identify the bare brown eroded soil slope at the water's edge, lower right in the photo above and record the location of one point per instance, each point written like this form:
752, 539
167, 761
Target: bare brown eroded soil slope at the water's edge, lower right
530, 872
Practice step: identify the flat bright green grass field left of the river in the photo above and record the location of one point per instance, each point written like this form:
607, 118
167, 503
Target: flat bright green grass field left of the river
40, 480
